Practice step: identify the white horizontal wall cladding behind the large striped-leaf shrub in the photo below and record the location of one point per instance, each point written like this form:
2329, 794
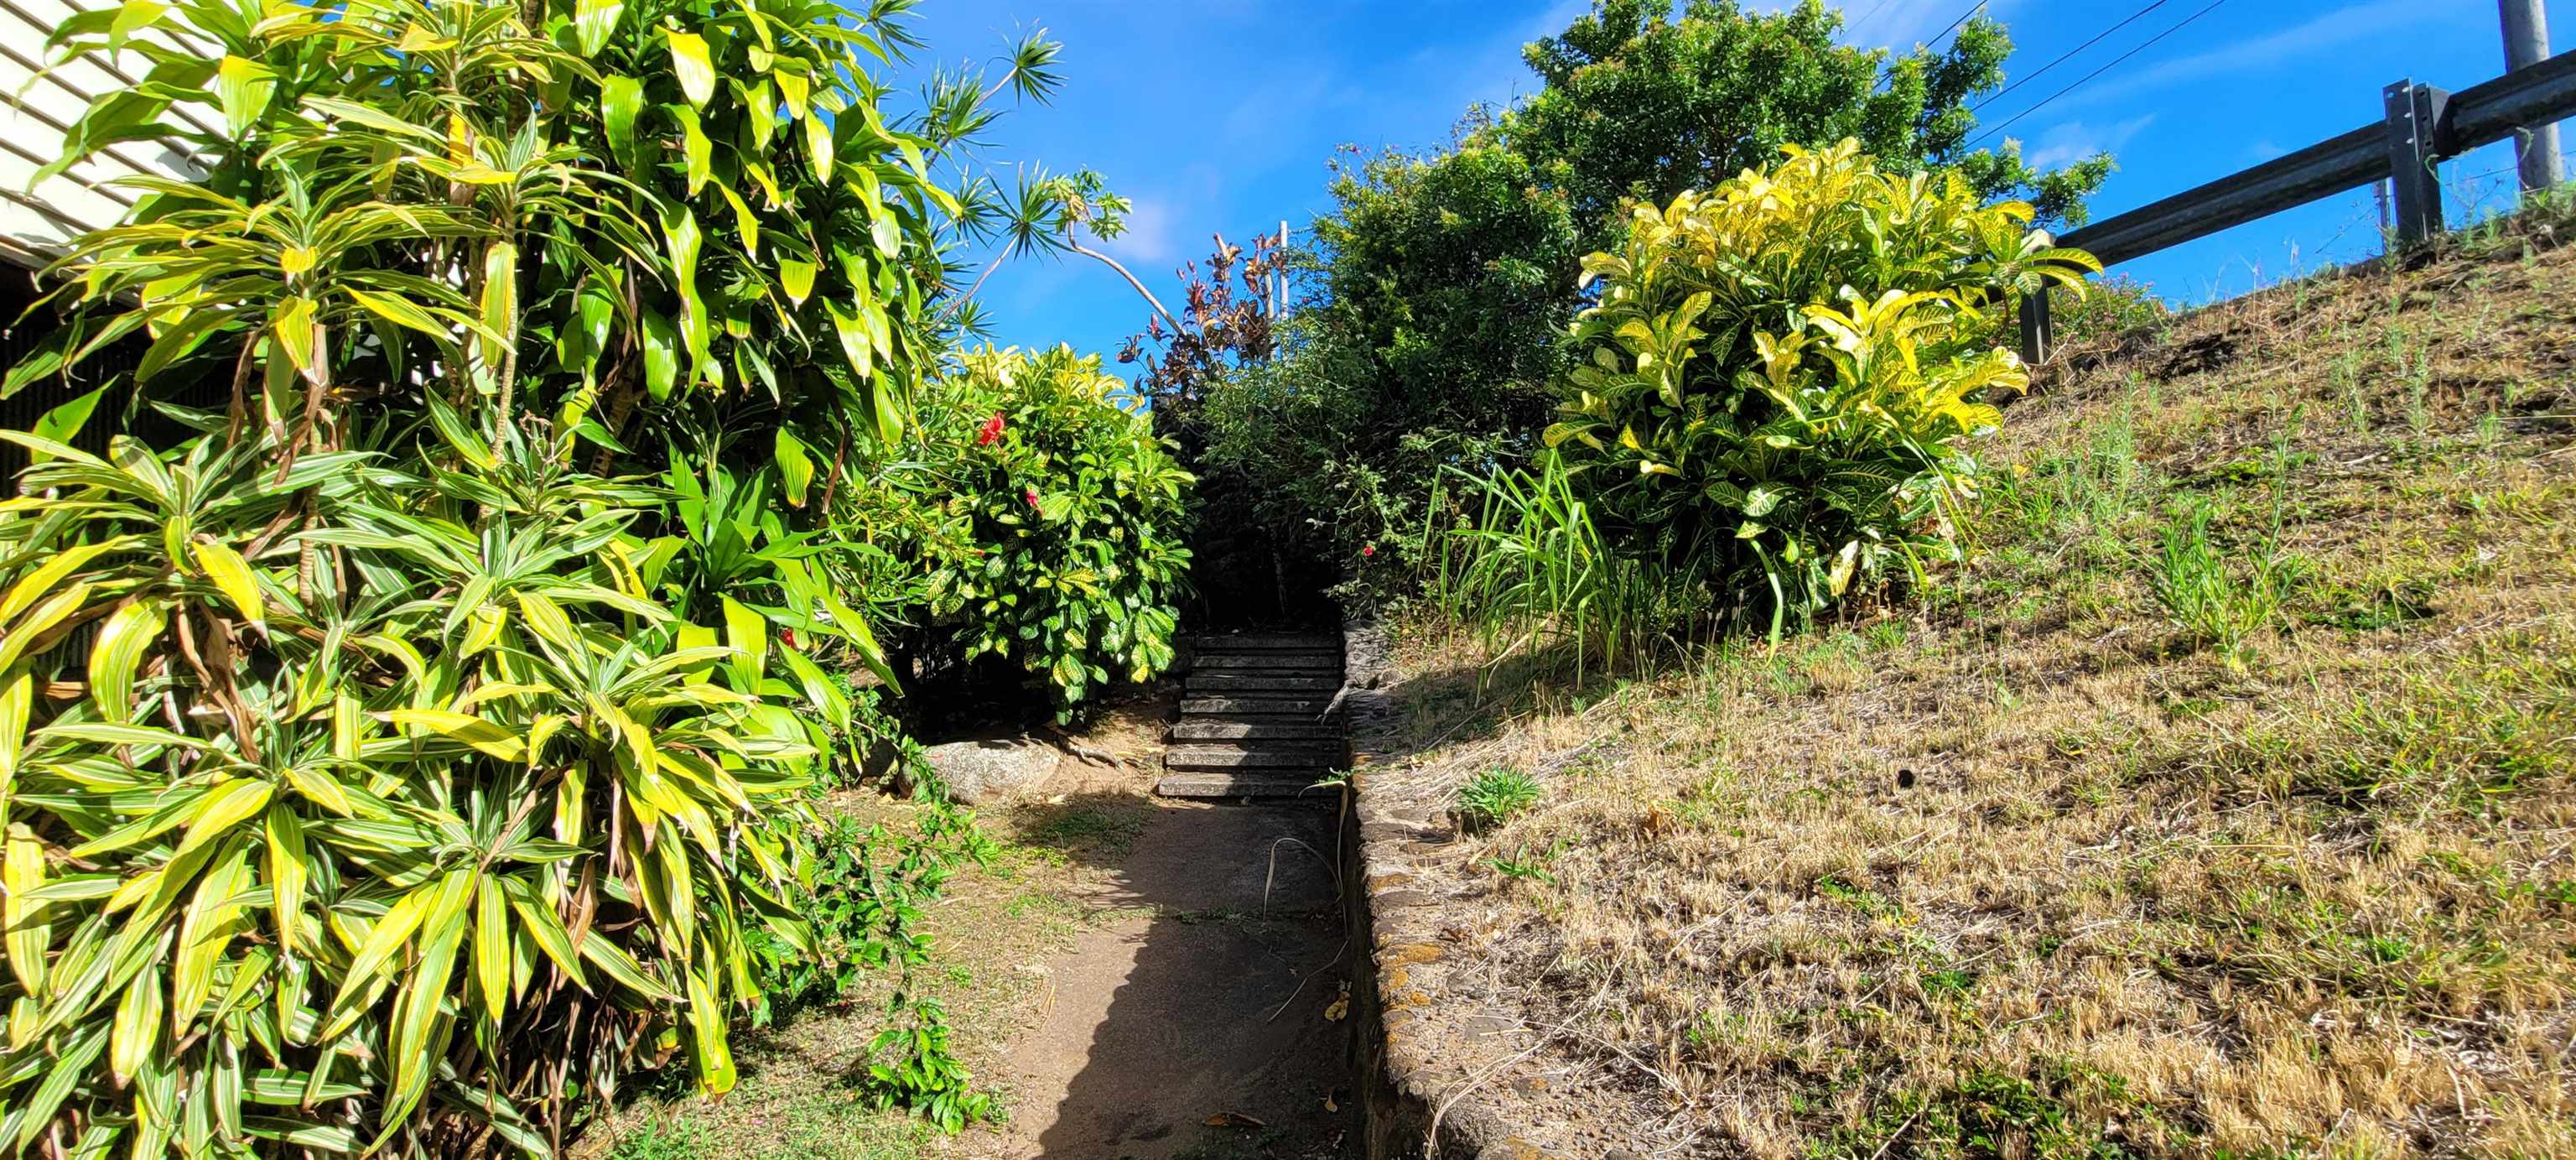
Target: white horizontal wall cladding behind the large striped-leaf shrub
35, 220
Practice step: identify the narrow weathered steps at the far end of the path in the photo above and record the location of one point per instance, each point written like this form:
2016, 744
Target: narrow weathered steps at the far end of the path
1253, 718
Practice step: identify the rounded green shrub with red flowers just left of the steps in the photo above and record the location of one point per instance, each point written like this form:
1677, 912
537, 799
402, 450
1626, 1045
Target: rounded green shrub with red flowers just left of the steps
1068, 514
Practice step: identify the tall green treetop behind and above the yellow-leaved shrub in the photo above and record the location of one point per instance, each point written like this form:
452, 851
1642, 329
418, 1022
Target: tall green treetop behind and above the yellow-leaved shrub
1645, 104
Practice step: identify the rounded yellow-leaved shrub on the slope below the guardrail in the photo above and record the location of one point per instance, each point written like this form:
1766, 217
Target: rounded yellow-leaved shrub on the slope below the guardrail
1774, 393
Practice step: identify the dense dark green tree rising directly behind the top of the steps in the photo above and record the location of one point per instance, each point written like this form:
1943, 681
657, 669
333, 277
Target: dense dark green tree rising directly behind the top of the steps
1444, 293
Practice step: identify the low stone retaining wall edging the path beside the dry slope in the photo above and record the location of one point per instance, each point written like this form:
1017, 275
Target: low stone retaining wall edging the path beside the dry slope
1403, 955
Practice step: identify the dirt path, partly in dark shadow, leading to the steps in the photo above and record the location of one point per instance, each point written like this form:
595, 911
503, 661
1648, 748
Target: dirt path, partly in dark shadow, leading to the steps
1197, 1014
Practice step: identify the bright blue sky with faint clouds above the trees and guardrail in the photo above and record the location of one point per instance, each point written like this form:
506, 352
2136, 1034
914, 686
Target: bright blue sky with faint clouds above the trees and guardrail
1222, 115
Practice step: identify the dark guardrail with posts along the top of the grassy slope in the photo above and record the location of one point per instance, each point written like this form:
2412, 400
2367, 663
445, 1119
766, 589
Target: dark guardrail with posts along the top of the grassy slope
2420, 128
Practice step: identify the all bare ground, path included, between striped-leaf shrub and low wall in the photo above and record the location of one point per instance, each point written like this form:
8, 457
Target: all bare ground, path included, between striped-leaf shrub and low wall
1127, 976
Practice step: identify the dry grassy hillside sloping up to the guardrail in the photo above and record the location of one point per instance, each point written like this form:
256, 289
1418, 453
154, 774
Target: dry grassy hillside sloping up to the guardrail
2219, 806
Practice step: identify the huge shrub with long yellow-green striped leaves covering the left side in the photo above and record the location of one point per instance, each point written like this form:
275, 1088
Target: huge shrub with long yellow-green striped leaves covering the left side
380, 777
